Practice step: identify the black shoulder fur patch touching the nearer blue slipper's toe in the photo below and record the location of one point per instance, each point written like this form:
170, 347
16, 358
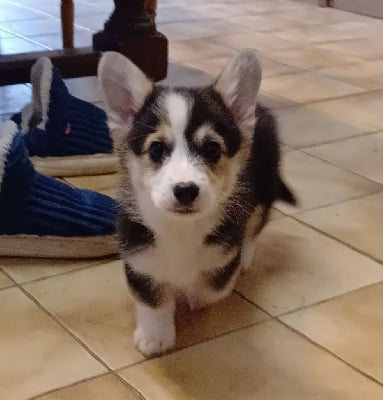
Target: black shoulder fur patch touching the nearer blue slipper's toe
133, 236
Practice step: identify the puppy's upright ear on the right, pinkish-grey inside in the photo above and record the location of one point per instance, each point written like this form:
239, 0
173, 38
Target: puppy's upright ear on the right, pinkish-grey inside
239, 84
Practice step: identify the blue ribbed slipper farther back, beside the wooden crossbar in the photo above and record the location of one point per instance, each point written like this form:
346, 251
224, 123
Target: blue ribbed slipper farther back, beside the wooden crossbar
65, 136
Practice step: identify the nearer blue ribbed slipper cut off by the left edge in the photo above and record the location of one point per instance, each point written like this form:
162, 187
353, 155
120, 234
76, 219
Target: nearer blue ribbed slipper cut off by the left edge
43, 217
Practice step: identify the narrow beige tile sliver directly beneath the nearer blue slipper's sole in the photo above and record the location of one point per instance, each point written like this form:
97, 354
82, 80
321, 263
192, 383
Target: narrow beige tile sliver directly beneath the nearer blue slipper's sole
29, 269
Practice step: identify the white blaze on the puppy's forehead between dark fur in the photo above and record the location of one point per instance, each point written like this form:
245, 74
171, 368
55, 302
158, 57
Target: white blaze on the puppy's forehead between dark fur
178, 112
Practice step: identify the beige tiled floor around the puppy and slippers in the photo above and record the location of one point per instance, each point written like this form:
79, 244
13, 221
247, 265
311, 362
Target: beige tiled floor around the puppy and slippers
307, 321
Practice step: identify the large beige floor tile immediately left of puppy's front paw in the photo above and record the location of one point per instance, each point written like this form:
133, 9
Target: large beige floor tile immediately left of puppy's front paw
95, 304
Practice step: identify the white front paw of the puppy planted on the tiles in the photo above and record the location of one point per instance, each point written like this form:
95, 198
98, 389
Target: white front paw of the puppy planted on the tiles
153, 344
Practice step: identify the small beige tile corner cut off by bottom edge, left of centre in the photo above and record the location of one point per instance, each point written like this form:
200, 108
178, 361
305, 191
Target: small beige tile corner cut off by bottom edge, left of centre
106, 387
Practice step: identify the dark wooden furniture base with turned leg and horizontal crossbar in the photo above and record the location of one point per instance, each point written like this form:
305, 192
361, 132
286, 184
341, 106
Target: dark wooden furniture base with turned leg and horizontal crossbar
130, 30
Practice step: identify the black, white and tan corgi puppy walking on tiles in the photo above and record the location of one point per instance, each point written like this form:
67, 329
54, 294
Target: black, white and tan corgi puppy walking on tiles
200, 172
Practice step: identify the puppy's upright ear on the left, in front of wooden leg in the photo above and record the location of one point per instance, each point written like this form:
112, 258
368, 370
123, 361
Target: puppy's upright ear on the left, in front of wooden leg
125, 88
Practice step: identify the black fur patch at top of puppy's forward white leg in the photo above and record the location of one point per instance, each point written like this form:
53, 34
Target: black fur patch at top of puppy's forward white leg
144, 288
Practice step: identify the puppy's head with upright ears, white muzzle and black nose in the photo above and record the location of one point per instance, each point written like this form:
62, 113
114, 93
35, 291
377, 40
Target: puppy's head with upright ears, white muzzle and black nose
182, 148
